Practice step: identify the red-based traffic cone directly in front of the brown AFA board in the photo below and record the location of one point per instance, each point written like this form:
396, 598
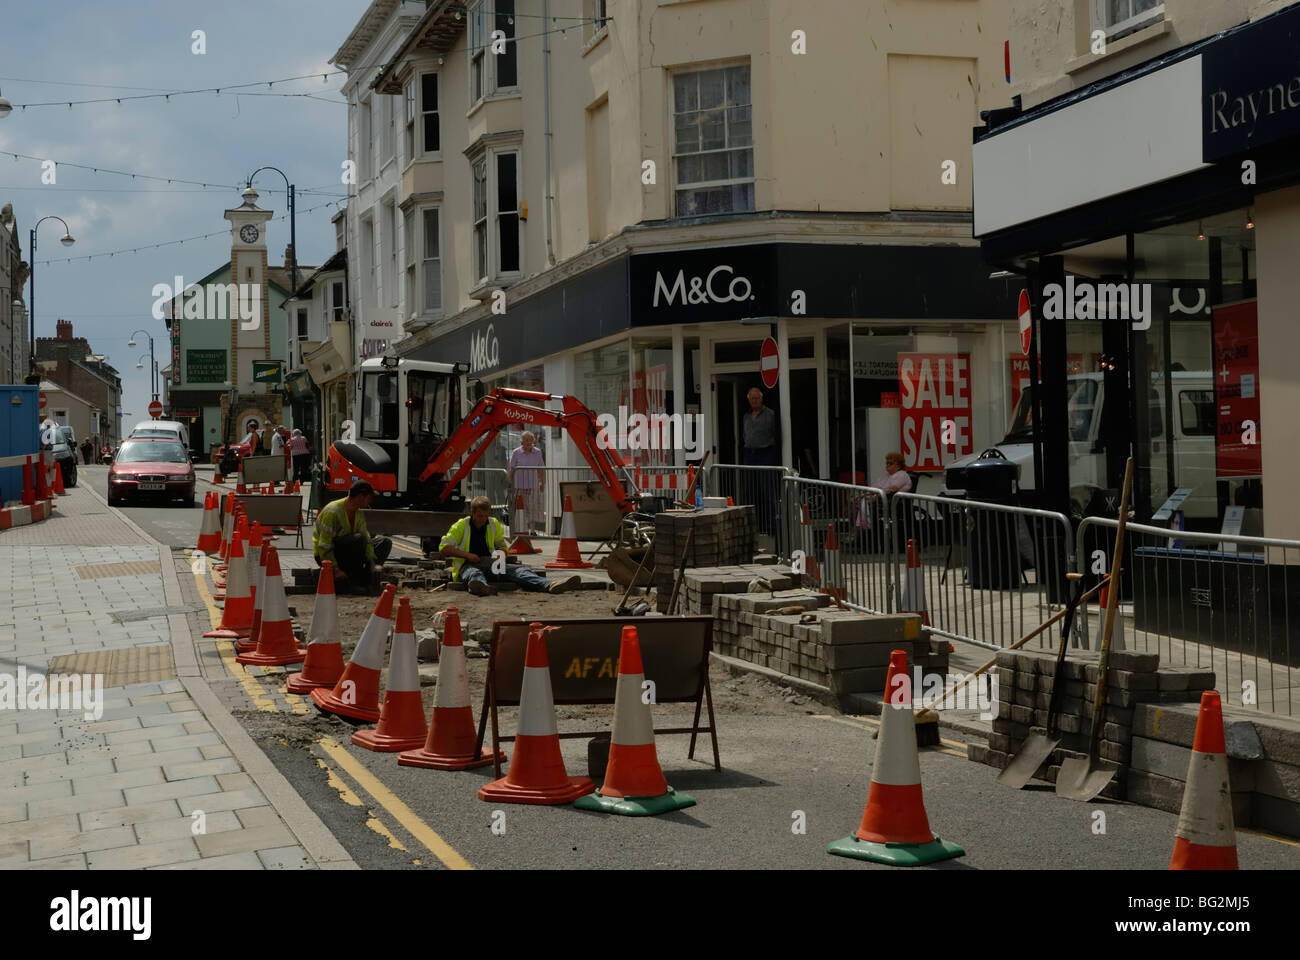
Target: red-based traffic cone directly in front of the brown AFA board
538, 773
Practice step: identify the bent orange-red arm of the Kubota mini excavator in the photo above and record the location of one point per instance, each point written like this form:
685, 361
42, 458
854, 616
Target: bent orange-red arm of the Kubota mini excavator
505, 408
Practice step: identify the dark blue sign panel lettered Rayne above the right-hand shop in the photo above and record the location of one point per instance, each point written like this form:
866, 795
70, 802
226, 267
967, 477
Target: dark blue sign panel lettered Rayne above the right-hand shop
1251, 87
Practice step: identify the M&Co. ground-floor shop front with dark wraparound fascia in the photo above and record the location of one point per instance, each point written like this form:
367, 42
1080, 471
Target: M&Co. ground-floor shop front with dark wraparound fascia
679, 335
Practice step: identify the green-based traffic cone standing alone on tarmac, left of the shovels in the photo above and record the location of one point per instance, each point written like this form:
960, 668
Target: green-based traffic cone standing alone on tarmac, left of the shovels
895, 828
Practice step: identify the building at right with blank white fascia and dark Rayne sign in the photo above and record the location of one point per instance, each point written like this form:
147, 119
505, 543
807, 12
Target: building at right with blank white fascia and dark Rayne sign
1151, 167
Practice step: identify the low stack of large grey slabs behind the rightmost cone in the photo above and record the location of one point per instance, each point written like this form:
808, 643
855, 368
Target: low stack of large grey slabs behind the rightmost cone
1263, 763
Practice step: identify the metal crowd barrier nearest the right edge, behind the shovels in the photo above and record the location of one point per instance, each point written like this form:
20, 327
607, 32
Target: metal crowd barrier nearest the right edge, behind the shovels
1229, 604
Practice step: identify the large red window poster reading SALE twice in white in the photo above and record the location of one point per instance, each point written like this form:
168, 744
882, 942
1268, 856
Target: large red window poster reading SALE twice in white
935, 416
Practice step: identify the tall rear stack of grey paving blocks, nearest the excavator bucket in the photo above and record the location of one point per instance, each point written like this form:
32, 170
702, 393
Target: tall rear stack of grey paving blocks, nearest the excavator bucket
723, 537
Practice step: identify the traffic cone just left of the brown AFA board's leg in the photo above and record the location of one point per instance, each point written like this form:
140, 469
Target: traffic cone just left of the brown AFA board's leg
453, 741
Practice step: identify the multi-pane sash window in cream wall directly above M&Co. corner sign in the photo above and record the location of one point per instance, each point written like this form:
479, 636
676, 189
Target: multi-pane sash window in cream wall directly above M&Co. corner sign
713, 142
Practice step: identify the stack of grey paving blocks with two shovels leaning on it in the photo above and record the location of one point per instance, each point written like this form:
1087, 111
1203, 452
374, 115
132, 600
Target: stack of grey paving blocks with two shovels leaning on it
1025, 693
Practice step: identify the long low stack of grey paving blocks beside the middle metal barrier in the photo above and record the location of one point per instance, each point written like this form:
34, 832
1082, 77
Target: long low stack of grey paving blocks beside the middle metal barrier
844, 651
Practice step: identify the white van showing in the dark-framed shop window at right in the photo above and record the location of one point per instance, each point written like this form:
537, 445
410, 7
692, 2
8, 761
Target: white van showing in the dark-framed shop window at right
1193, 439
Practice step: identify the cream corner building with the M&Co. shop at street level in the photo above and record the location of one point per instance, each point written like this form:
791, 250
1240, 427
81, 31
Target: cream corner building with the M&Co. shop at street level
625, 206
